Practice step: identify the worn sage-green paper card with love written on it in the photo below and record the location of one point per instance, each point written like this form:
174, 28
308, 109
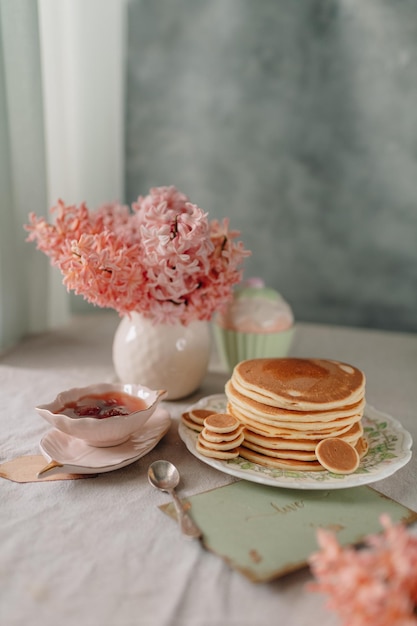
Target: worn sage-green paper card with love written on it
265, 532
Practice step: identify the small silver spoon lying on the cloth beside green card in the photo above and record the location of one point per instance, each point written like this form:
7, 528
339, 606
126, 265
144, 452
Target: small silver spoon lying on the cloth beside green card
165, 476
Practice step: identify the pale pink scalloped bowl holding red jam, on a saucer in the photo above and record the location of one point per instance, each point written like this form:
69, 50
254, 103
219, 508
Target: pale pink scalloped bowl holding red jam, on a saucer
101, 433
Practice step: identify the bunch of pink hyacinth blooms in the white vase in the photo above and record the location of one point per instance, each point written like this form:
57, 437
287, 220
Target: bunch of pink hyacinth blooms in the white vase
163, 259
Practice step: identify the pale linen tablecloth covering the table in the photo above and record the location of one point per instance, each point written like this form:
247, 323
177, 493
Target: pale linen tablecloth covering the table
99, 552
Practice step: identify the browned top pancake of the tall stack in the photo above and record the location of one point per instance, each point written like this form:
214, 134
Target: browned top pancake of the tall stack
303, 384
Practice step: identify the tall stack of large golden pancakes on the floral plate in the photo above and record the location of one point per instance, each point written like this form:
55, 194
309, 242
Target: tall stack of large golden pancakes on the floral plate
289, 405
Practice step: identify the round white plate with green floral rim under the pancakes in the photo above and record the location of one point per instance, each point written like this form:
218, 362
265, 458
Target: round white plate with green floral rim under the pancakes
389, 450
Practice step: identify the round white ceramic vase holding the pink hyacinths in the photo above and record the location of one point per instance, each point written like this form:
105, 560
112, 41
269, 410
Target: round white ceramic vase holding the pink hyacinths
162, 356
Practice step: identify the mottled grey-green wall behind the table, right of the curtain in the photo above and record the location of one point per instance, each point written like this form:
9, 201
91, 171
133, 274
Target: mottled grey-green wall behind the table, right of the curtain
298, 120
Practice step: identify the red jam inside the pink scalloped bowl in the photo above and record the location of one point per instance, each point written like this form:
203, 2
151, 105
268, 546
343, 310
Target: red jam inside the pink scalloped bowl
103, 405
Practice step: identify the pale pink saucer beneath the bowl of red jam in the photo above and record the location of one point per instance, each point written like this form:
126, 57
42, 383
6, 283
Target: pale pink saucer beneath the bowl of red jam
68, 454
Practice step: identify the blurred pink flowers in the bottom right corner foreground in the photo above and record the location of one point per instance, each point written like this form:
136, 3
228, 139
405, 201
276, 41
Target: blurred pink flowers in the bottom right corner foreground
373, 586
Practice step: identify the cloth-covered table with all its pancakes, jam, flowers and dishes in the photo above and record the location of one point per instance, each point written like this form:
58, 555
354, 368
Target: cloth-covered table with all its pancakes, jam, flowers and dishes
195, 454
